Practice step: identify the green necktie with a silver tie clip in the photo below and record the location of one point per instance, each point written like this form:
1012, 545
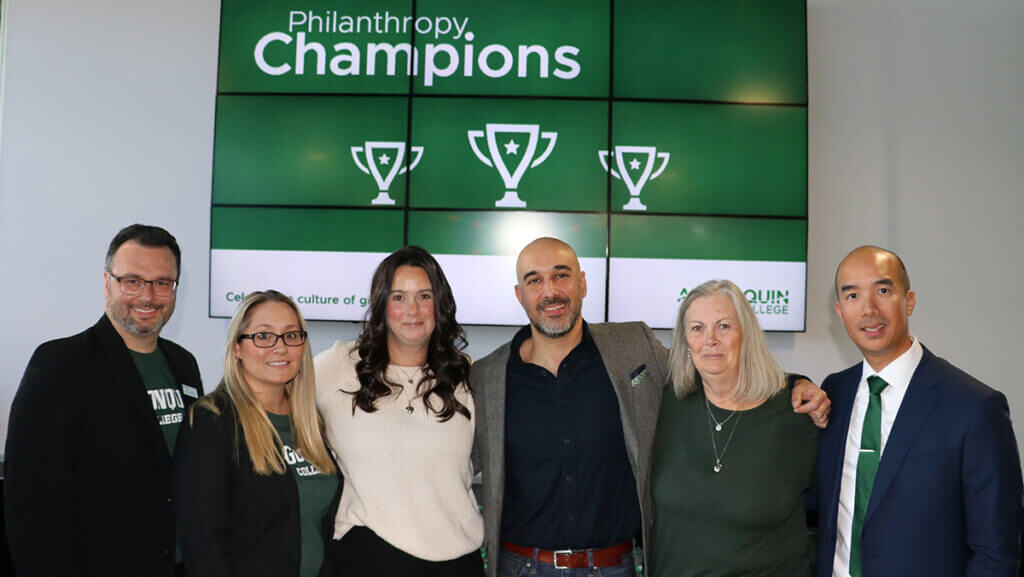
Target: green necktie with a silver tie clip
868, 467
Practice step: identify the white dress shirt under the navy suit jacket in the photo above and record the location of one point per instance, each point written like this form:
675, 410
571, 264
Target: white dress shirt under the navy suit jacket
898, 375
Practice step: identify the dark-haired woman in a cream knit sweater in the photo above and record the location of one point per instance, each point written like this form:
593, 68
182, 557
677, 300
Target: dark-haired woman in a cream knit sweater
400, 419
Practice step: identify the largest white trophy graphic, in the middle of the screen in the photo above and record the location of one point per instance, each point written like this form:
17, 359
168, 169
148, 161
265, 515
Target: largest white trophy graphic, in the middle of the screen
523, 162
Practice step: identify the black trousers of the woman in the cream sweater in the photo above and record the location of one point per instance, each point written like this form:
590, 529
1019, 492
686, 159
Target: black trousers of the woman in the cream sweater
362, 554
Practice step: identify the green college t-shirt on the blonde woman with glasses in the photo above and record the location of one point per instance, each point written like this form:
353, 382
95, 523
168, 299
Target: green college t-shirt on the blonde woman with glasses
316, 493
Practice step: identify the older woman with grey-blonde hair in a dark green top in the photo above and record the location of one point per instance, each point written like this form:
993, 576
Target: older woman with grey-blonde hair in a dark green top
732, 459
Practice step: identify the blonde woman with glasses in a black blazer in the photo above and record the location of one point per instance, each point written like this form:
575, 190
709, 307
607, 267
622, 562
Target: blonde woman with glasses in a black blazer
253, 480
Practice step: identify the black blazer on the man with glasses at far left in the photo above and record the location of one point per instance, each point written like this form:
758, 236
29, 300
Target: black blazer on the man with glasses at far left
89, 473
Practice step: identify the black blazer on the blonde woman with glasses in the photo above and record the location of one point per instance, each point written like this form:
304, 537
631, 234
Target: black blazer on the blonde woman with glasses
233, 522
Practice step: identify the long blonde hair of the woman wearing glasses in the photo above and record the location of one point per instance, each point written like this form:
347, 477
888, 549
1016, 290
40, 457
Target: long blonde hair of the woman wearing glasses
263, 440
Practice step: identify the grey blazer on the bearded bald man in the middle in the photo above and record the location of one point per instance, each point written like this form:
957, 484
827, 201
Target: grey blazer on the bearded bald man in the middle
625, 348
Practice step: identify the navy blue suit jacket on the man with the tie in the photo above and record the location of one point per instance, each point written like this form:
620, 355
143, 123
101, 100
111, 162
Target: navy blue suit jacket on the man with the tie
948, 497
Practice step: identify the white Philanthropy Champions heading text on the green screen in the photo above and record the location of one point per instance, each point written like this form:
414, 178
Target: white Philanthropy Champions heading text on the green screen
441, 60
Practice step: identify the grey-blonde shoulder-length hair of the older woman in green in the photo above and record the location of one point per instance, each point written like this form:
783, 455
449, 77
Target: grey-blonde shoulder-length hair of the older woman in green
760, 377
